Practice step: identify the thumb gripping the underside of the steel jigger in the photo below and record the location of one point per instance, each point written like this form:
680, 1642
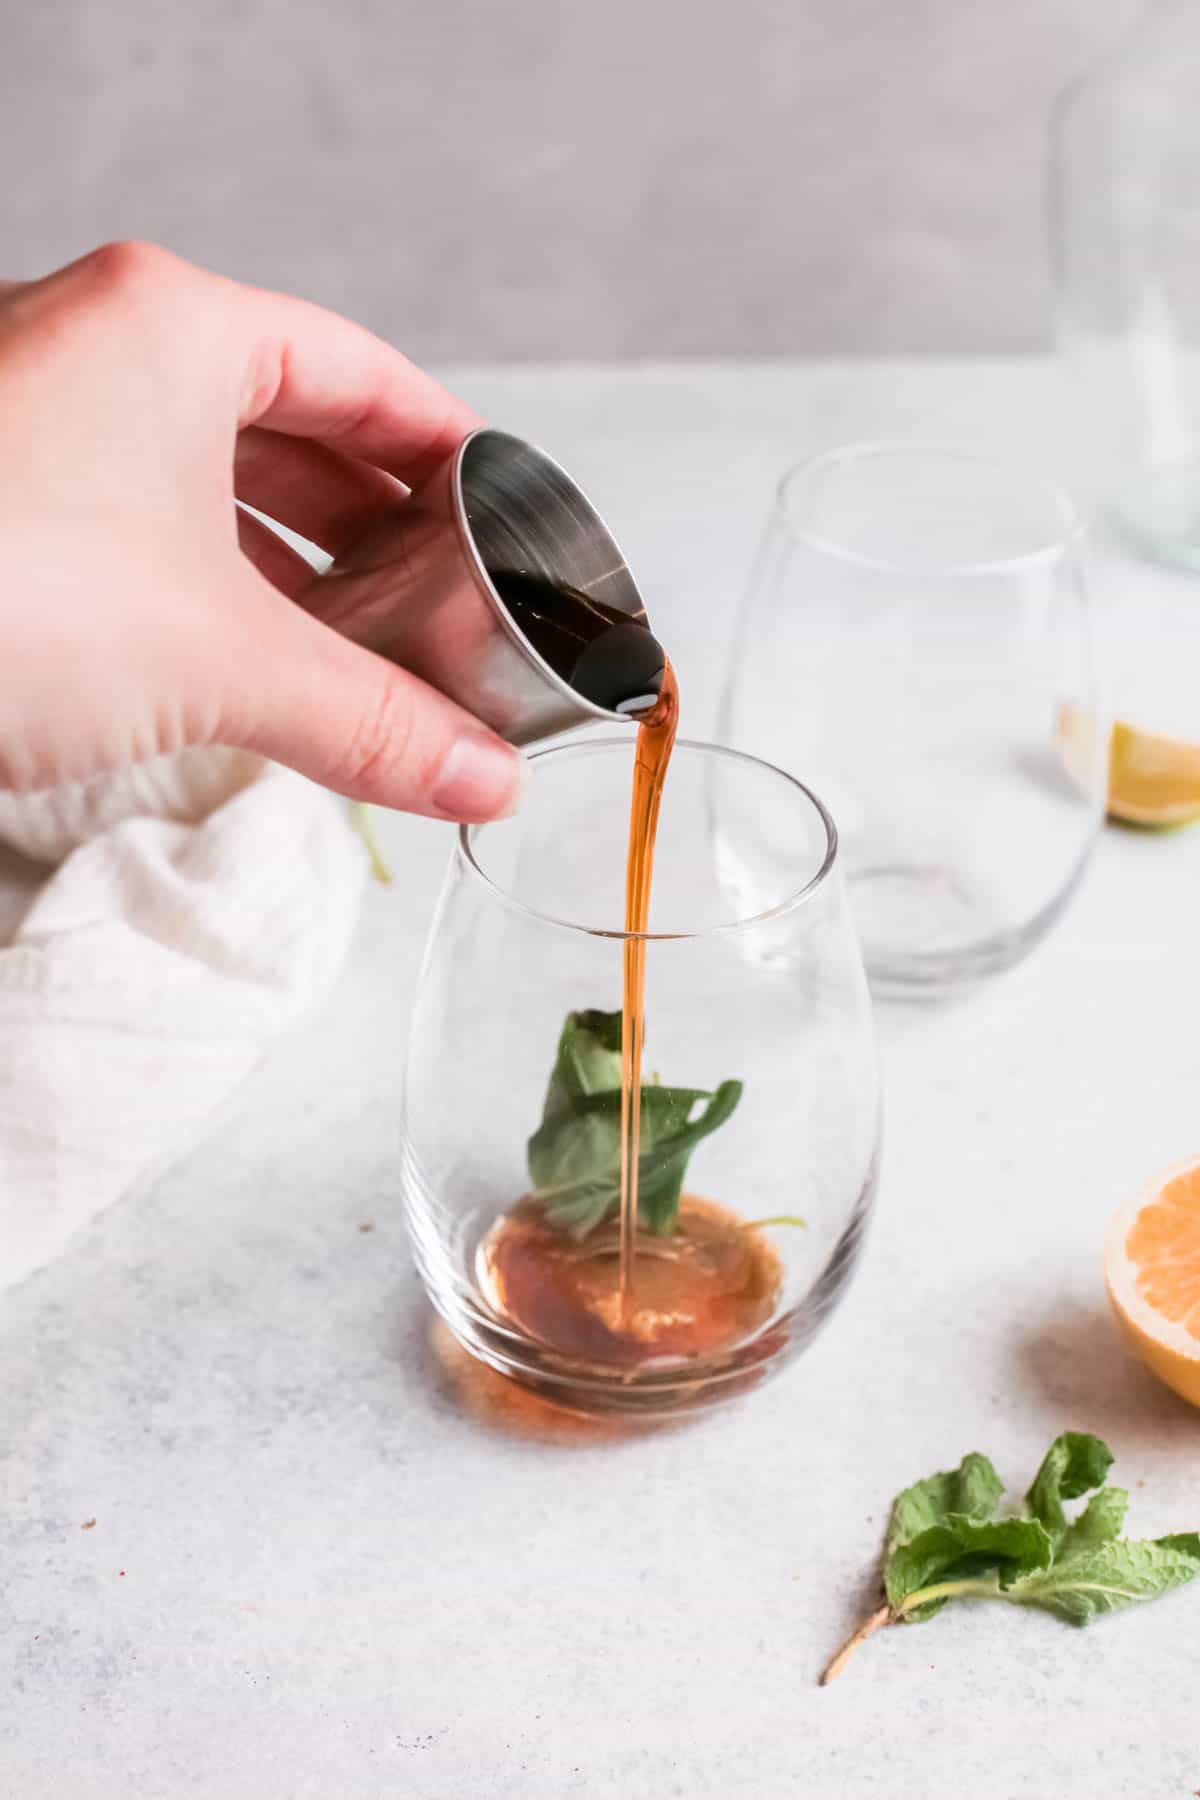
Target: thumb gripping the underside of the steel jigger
361, 726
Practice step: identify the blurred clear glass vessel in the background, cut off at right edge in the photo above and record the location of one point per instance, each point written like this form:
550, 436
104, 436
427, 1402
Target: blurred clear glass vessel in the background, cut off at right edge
1125, 222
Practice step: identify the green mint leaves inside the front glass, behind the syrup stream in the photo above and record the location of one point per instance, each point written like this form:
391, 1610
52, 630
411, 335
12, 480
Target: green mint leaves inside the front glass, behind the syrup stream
575, 1156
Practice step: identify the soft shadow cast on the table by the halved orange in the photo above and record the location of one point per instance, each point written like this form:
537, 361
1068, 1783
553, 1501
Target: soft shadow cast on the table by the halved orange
1086, 1380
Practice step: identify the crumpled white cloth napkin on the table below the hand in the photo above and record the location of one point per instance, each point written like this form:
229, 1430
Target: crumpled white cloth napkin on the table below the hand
195, 908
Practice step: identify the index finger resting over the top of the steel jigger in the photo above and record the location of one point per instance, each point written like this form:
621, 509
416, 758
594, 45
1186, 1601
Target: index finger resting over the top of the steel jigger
312, 373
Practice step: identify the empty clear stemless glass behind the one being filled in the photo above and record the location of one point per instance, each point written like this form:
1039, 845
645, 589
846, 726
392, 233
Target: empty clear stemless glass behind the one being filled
917, 642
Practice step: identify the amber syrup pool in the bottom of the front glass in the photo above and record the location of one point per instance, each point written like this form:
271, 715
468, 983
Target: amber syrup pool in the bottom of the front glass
704, 1290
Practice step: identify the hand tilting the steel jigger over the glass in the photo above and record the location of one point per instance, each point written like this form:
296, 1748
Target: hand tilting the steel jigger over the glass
139, 609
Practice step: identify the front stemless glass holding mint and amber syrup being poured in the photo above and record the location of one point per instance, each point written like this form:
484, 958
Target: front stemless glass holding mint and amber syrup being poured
767, 993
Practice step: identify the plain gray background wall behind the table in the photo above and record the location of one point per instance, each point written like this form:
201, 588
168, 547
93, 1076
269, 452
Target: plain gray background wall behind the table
559, 179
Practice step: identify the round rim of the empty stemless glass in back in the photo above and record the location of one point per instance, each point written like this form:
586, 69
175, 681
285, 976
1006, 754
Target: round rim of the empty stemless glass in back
1068, 537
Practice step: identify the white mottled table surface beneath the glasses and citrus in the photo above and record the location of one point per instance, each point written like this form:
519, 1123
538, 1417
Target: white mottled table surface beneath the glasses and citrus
325, 1563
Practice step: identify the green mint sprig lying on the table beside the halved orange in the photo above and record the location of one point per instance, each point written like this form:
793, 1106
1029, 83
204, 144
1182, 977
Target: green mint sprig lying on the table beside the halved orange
947, 1543
